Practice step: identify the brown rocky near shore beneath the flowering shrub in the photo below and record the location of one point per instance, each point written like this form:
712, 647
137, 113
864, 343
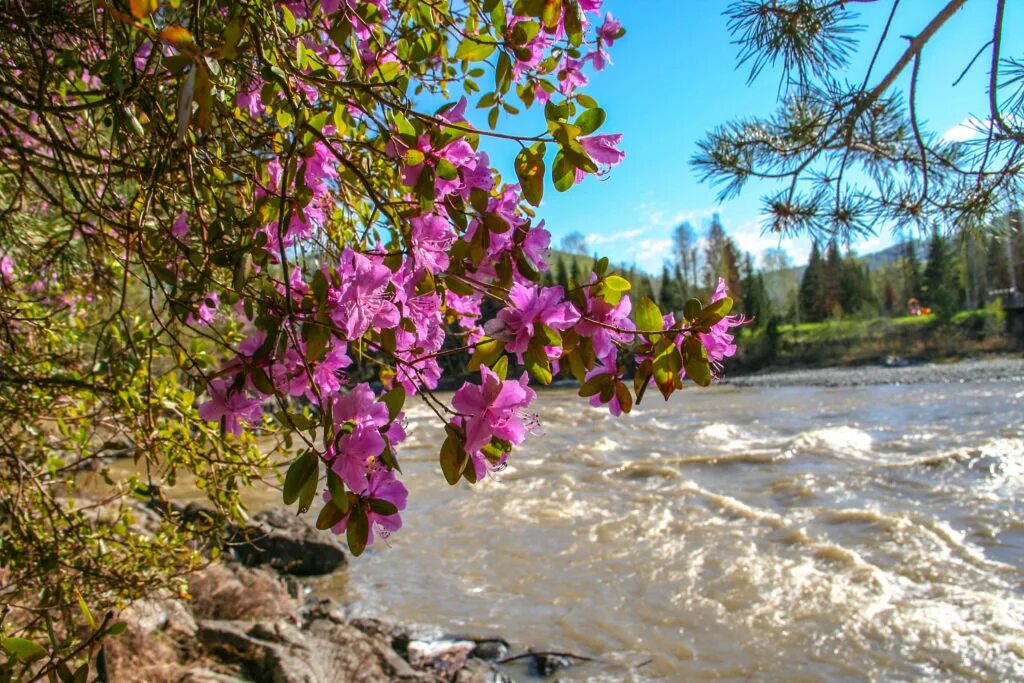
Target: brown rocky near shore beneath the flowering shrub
249, 617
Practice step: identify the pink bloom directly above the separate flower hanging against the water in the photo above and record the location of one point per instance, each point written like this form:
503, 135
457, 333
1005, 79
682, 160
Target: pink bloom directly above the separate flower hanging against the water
530, 308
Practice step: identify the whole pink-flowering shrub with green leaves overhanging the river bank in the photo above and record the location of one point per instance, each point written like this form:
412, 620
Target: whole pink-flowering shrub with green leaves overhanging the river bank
277, 220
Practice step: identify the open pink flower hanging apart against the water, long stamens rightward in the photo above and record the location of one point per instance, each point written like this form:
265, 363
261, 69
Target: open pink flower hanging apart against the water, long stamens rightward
494, 409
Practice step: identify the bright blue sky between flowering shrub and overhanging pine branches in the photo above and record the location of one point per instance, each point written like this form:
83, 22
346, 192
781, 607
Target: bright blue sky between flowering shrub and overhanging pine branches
675, 78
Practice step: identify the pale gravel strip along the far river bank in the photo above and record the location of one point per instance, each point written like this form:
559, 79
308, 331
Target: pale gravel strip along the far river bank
894, 372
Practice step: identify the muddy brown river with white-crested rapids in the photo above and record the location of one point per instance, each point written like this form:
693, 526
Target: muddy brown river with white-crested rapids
792, 534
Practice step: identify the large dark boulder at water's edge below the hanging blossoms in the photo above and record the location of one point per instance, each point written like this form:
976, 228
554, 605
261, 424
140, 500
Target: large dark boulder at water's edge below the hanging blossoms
289, 544
